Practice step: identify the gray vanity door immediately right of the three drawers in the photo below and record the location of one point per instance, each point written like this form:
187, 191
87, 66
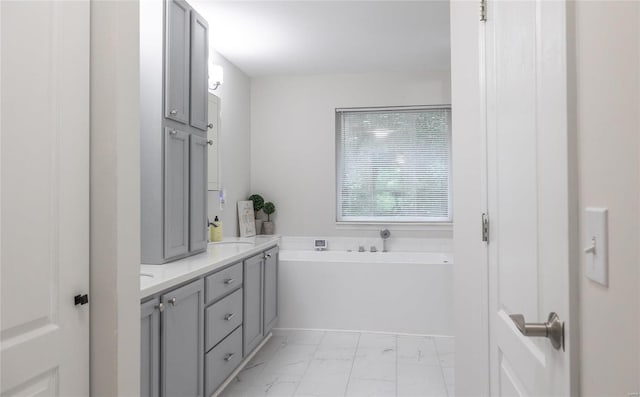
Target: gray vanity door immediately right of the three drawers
252, 303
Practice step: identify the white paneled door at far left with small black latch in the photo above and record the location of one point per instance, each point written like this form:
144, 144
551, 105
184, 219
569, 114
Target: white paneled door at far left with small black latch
44, 119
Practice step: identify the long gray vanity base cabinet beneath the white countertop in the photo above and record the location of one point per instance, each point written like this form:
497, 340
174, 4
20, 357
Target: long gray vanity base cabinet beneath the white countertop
194, 336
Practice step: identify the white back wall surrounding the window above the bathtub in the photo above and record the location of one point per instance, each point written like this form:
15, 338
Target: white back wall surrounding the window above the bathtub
293, 138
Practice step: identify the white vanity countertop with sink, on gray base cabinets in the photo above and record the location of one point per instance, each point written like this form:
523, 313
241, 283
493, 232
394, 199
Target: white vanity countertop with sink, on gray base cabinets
156, 278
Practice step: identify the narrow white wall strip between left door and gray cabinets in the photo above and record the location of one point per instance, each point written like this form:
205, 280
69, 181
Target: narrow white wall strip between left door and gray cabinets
115, 199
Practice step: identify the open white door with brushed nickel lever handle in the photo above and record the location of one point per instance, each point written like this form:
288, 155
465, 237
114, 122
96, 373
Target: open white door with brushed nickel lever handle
528, 193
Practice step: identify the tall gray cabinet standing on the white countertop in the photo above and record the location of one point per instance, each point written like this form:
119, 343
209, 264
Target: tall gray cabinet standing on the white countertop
173, 143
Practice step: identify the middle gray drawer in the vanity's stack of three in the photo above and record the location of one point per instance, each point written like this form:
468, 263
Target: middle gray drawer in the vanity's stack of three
221, 318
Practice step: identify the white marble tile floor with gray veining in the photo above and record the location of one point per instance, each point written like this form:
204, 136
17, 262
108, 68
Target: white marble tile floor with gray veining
318, 363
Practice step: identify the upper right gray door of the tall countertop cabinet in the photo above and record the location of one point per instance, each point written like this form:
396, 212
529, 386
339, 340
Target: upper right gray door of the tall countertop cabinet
199, 72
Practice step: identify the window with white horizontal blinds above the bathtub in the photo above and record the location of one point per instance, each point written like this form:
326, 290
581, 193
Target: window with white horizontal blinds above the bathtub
393, 164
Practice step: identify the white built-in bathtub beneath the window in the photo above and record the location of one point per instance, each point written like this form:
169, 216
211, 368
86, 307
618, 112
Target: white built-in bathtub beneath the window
395, 292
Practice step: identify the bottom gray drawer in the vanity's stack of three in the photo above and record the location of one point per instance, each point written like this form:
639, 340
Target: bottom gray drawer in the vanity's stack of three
220, 362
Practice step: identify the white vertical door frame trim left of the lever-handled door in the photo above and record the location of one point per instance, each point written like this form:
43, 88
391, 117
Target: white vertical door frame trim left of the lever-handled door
471, 321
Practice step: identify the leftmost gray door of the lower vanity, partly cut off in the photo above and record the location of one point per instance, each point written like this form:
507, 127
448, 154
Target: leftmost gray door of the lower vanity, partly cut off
150, 349
